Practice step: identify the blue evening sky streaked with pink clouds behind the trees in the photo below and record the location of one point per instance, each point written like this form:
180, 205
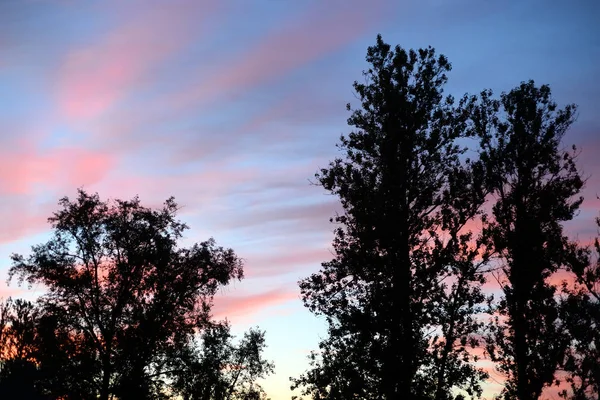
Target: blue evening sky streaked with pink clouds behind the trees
231, 107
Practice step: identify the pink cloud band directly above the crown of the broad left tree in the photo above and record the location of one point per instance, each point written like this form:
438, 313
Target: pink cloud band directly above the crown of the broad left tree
23, 174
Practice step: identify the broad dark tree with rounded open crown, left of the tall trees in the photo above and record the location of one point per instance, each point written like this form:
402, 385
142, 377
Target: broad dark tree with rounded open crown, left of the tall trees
123, 301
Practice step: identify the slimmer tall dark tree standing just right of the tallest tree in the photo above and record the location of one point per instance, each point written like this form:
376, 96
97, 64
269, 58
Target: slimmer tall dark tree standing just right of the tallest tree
533, 183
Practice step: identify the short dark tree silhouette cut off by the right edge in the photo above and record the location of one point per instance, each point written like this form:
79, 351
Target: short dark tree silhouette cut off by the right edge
581, 318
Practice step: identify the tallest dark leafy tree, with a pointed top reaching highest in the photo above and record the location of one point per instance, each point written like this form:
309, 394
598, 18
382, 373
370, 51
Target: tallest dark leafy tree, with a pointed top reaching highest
401, 240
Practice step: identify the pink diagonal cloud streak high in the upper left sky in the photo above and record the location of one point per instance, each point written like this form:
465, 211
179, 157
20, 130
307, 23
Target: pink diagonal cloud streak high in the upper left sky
92, 79
